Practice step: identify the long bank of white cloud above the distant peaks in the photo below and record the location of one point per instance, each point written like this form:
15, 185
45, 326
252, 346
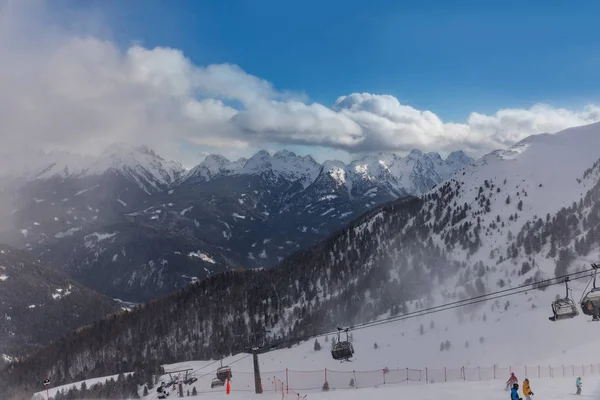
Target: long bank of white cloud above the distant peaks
60, 90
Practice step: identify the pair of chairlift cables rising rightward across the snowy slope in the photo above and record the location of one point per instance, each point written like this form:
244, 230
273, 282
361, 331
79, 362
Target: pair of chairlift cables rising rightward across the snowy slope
461, 303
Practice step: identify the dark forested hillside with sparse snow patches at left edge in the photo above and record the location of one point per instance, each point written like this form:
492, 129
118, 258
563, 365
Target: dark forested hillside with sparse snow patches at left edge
39, 305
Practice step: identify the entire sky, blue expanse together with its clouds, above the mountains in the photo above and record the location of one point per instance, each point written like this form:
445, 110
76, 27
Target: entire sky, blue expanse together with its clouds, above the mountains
433, 75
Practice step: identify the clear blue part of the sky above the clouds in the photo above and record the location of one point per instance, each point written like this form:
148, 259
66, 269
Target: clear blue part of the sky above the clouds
452, 57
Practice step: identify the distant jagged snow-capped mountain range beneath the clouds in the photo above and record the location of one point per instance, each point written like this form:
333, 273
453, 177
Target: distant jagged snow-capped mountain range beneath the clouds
128, 222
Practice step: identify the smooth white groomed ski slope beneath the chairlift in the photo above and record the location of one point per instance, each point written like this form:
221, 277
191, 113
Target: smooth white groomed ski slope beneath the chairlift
506, 340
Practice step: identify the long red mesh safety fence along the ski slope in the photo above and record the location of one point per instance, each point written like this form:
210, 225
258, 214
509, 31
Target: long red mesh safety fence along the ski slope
295, 384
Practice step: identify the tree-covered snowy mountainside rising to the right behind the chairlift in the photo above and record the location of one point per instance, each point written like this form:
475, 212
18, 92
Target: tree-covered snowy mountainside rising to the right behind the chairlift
515, 217
